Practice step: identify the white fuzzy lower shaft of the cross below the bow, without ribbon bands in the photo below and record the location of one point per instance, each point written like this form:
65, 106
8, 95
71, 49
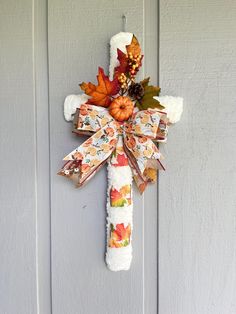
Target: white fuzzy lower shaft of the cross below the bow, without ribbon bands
119, 258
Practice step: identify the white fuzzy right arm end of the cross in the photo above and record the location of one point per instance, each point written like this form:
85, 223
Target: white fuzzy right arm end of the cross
173, 107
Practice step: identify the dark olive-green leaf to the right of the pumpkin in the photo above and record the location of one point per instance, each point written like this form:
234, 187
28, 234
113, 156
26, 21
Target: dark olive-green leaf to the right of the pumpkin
147, 101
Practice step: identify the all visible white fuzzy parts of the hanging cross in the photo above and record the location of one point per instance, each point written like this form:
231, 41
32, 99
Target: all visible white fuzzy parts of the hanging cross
120, 258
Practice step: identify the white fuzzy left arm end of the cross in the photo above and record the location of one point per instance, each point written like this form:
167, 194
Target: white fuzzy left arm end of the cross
71, 103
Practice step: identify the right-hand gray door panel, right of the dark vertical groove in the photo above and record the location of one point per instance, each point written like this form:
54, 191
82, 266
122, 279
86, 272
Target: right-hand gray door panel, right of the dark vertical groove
197, 194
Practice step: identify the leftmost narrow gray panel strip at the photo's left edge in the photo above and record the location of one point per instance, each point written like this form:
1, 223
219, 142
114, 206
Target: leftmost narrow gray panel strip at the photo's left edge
18, 292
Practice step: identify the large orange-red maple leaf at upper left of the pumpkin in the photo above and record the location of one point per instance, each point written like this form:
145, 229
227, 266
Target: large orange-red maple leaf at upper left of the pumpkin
101, 94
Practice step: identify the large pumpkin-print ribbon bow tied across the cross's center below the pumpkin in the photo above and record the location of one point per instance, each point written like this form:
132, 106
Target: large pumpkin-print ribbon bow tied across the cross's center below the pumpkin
137, 135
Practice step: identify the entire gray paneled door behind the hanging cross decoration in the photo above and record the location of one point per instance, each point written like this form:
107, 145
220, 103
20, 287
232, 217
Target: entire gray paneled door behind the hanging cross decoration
52, 239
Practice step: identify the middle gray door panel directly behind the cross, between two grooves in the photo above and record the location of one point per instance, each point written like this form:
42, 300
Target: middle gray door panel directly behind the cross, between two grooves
78, 37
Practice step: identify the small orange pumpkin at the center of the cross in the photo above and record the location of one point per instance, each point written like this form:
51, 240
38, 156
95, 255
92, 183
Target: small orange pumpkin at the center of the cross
121, 108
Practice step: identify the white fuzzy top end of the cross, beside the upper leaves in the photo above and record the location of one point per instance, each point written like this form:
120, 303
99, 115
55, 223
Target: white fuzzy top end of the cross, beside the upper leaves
118, 41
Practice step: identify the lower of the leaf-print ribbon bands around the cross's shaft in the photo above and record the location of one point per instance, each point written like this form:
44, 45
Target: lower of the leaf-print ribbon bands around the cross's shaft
119, 235
